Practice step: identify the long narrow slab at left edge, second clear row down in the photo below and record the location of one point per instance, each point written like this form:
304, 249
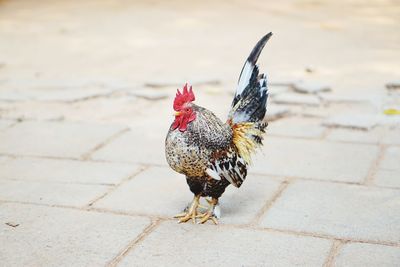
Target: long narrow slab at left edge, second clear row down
65, 171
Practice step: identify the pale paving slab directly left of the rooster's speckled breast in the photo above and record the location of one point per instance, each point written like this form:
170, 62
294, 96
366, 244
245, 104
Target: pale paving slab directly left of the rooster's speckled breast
128, 148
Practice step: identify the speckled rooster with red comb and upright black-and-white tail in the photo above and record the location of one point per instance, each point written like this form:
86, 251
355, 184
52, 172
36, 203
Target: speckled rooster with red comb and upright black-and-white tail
213, 154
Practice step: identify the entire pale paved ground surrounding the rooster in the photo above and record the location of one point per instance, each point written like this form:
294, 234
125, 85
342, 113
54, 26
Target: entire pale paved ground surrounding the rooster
83, 178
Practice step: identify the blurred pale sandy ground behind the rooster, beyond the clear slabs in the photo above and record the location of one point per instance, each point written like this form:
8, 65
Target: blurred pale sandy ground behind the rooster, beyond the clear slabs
112, 61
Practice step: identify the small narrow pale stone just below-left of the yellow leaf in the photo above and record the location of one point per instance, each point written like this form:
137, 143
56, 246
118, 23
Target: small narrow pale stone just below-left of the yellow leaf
362, 122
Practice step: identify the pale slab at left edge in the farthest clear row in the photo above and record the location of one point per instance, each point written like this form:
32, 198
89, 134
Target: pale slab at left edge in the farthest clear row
56, 139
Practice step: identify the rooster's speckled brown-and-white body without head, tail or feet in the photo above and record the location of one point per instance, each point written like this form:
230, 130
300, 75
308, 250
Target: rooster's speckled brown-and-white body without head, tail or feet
198, 148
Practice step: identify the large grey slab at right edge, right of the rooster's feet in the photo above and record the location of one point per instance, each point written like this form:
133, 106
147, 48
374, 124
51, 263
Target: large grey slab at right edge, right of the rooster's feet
340, 210
